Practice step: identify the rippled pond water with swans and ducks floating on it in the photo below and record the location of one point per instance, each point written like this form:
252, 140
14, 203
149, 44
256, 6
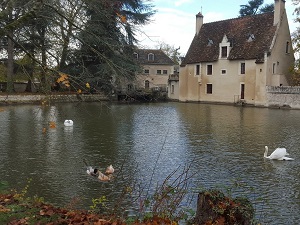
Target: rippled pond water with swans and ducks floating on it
222, 145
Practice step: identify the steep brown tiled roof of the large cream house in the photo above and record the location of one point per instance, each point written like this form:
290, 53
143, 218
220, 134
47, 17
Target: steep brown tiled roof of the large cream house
237, 31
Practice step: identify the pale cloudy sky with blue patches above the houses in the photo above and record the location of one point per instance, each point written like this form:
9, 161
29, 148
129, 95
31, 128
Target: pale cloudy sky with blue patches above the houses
174, 22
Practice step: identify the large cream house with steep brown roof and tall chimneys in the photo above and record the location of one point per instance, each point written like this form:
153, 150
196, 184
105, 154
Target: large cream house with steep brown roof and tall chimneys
235, 60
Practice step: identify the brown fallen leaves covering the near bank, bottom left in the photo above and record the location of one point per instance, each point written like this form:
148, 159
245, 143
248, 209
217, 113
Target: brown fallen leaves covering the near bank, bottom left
38, 212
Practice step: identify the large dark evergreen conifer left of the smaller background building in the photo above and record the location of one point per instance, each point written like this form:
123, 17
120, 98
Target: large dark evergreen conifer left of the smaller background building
107, 42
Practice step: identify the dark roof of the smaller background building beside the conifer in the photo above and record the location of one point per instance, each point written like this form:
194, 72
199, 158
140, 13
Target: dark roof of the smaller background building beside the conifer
160, 58
